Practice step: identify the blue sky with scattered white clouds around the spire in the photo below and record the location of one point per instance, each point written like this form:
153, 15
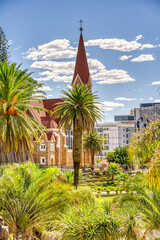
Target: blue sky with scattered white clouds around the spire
122, 39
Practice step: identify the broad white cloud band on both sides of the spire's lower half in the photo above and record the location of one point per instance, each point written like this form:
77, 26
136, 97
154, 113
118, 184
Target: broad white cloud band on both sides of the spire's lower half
63, 72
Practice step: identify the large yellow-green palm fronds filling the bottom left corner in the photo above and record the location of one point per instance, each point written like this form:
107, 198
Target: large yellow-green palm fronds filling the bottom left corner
31, 199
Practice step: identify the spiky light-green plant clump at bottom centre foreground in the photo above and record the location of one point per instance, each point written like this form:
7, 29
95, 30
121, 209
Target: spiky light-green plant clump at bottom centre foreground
88, 222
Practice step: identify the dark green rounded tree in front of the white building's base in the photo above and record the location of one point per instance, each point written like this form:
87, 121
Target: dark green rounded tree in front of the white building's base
119, 155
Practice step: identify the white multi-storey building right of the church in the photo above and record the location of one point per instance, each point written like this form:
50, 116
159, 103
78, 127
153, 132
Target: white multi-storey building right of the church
114, 134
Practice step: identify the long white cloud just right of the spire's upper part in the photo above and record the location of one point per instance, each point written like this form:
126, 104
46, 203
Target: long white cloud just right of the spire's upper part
115, 44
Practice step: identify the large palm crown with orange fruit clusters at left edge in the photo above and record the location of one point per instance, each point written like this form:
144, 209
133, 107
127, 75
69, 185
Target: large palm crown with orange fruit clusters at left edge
17, 90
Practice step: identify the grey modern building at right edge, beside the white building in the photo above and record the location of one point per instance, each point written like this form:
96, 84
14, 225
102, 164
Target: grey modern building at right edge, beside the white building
146, 113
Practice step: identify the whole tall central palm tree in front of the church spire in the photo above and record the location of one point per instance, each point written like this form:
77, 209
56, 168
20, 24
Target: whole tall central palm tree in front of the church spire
79, 109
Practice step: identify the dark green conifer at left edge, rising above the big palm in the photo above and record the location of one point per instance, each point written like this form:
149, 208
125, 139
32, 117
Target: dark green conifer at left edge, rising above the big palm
4, 55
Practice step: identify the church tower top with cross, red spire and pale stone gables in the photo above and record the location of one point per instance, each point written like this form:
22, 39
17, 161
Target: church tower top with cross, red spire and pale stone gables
81, 71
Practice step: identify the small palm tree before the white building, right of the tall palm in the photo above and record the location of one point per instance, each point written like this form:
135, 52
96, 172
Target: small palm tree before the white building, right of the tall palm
93, 143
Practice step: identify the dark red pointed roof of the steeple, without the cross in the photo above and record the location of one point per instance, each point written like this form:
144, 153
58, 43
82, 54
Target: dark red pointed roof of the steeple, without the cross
81, 66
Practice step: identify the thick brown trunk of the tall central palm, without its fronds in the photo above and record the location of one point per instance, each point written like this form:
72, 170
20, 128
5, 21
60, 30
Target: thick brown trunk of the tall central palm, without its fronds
77, 148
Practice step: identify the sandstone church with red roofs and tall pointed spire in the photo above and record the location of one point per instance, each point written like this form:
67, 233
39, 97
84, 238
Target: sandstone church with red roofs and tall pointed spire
56, 147
